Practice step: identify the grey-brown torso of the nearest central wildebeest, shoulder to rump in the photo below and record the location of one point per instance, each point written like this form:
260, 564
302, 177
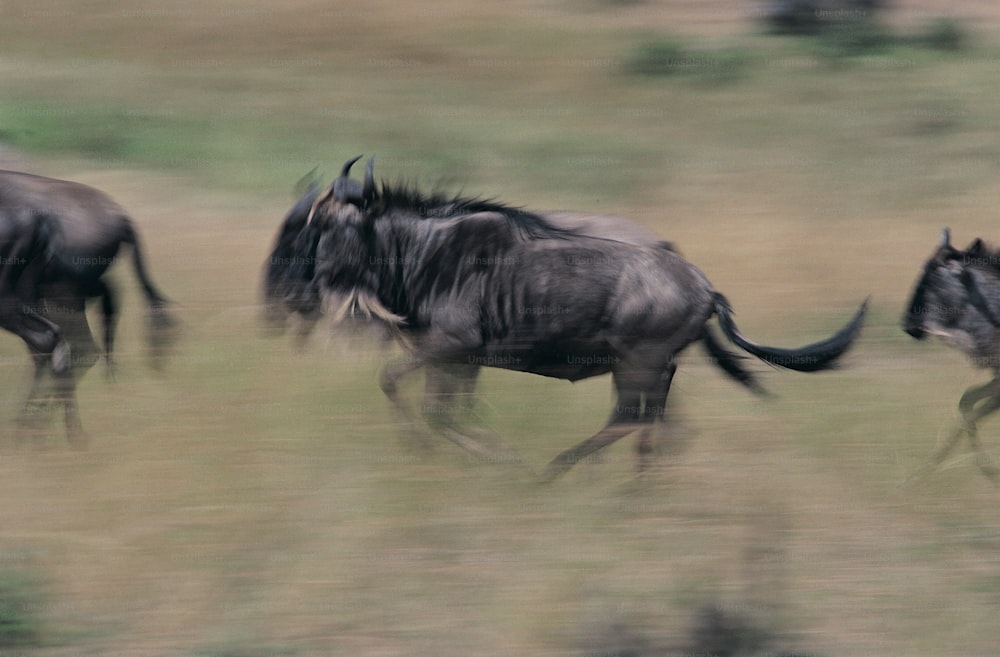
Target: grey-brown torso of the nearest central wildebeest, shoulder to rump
523, 310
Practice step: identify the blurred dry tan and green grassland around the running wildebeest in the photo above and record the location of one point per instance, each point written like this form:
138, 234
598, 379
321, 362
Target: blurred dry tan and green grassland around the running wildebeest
257, 499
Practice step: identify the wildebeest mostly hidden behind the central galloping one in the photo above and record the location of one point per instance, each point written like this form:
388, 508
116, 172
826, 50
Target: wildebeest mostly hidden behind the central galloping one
448, 386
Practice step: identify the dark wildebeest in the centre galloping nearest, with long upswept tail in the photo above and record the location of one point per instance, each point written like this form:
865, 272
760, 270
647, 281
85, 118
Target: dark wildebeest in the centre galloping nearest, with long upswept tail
468, 281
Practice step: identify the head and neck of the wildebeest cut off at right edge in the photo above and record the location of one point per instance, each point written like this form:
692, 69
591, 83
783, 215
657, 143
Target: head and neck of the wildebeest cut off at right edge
948, 290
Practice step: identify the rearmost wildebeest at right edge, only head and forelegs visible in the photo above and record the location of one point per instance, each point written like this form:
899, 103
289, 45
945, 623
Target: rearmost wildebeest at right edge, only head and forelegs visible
958, 299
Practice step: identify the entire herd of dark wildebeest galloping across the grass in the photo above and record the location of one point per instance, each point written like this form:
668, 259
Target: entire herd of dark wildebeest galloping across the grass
460, 283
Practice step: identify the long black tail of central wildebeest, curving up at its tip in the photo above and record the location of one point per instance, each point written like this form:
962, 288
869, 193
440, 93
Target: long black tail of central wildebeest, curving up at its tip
810, 358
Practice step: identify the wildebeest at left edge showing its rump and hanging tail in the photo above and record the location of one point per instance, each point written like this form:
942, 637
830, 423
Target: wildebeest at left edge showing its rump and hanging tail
84, 233
